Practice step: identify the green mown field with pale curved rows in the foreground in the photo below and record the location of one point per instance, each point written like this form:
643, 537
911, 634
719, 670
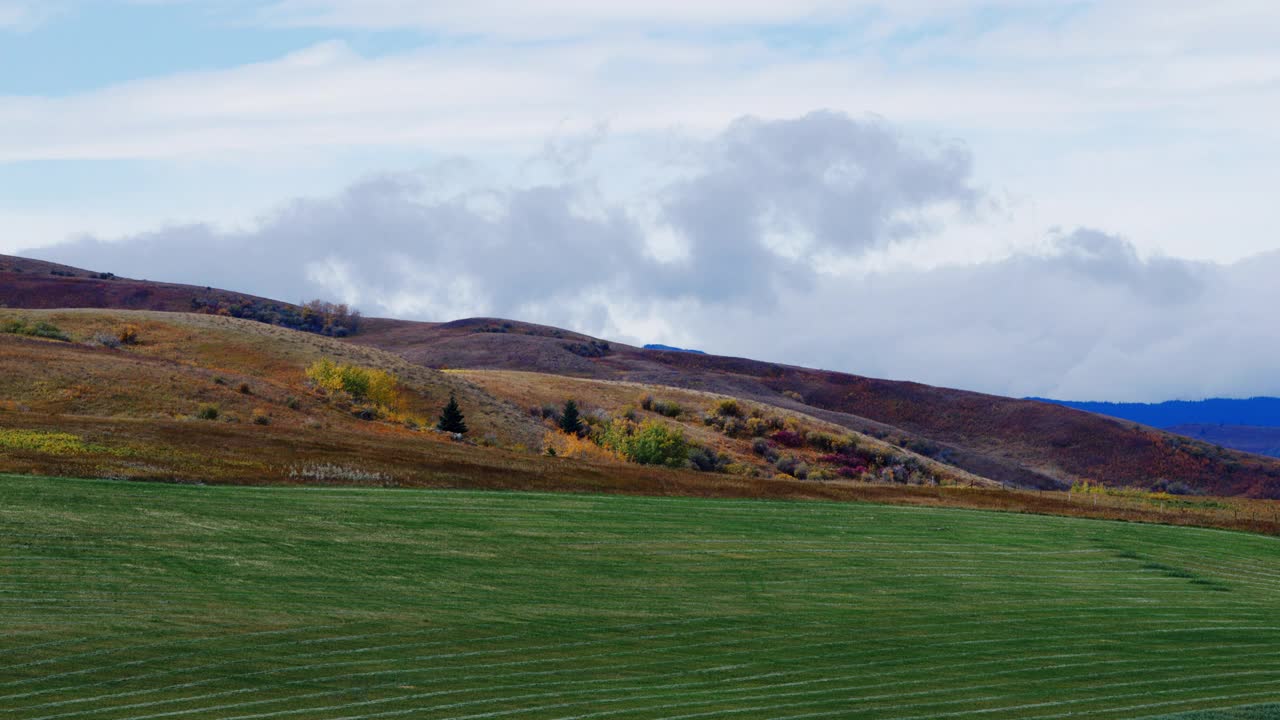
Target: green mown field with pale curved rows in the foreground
135, 601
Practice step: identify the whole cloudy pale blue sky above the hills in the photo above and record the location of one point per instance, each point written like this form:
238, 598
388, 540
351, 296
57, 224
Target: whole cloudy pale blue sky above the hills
1036, 198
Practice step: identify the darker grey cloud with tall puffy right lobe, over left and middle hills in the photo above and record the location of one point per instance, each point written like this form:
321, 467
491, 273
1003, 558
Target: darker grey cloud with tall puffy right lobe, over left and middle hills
755, 209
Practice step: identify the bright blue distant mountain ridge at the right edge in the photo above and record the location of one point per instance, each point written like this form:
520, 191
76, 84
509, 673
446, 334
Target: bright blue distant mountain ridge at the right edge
1255, 412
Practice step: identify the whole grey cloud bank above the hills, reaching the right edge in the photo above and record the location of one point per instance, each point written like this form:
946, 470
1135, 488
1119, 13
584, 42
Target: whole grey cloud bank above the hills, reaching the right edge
770, 221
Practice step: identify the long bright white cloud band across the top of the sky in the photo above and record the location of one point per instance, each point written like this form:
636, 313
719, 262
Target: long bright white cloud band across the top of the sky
651, 66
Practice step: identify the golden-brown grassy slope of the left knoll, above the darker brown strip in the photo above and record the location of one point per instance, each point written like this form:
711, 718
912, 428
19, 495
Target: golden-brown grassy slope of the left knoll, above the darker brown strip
186, 361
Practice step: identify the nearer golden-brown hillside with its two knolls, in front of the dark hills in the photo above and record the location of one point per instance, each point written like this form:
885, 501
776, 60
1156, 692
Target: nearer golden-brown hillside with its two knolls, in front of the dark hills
80, 403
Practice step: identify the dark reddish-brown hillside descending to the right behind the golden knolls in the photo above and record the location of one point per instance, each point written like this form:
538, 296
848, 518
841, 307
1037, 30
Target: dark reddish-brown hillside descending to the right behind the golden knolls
1020, 443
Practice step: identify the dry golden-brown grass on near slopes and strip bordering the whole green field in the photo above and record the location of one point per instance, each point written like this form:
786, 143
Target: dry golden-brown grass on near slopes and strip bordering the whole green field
75, 411
